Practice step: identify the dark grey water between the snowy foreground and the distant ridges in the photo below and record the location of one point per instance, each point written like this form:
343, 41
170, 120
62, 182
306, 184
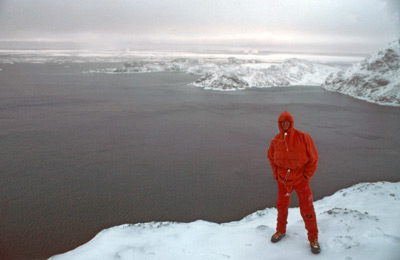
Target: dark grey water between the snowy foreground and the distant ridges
83, 152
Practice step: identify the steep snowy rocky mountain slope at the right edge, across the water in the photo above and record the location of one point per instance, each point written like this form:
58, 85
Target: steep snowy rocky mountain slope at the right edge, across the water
375, 79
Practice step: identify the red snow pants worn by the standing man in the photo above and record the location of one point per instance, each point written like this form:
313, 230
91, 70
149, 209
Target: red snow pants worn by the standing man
307, 211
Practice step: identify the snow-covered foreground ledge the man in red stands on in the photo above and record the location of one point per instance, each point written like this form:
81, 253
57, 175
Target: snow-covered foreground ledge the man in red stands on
360, 222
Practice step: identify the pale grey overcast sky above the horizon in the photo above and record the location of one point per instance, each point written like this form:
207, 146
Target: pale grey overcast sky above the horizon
287, 25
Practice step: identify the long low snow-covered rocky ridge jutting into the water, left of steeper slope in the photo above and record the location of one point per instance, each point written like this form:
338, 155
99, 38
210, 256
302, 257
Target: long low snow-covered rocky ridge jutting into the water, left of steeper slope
236, 74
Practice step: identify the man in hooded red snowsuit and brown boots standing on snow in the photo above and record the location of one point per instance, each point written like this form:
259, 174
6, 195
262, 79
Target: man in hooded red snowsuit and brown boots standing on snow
294, 158
